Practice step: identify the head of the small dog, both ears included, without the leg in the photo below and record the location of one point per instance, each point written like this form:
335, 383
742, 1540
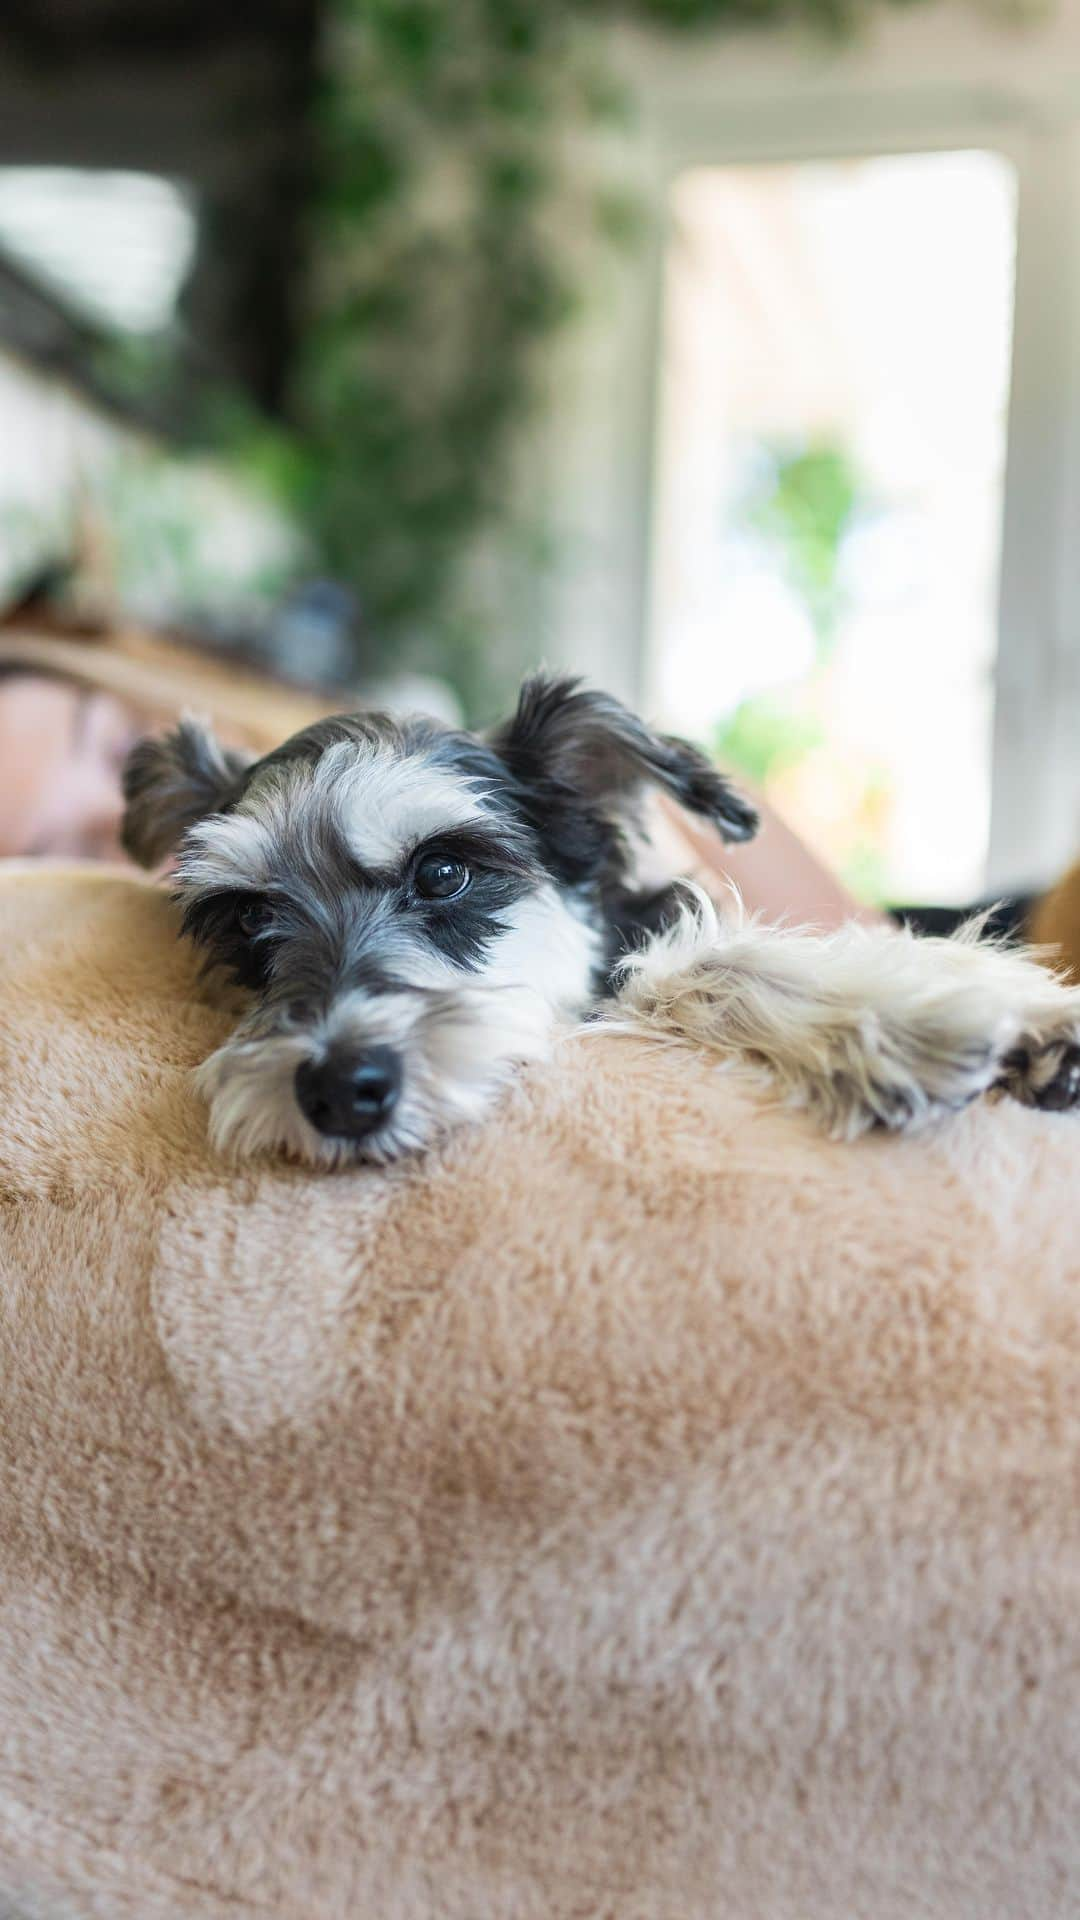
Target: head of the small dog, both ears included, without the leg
410, 907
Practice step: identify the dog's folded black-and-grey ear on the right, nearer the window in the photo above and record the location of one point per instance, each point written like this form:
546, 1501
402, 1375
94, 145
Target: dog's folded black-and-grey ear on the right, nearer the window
570, 742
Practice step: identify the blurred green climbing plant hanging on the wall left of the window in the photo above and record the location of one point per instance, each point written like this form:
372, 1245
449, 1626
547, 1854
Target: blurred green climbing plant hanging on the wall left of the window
458, 218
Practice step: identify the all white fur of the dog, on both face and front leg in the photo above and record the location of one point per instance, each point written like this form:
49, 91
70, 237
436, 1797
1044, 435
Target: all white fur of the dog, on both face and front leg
860, 1026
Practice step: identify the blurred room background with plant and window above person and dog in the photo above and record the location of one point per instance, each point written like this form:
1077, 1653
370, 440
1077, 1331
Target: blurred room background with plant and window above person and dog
722, 350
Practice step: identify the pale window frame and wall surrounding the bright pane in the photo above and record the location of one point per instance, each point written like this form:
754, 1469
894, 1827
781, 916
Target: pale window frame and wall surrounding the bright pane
933, 80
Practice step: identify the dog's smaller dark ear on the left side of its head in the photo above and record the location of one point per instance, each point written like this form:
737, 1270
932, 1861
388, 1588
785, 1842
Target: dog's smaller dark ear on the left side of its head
170, 782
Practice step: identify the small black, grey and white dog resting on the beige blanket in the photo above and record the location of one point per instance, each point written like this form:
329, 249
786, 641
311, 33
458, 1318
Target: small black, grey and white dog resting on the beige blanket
416, 911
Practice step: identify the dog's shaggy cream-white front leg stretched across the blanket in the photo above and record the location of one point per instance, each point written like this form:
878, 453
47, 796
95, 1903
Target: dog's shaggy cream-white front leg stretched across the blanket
864, 1026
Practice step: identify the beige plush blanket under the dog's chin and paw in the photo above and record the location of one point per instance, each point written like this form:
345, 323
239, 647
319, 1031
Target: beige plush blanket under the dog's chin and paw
641, 1510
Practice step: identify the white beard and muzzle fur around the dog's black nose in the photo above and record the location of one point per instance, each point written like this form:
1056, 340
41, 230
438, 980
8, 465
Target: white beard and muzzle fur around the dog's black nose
458, 1049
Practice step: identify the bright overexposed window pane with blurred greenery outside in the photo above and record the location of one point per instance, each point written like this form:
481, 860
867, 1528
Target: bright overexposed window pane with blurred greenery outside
829, 498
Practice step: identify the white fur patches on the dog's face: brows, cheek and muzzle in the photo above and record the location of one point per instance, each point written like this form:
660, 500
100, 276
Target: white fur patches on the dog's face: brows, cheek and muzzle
458, 1034
